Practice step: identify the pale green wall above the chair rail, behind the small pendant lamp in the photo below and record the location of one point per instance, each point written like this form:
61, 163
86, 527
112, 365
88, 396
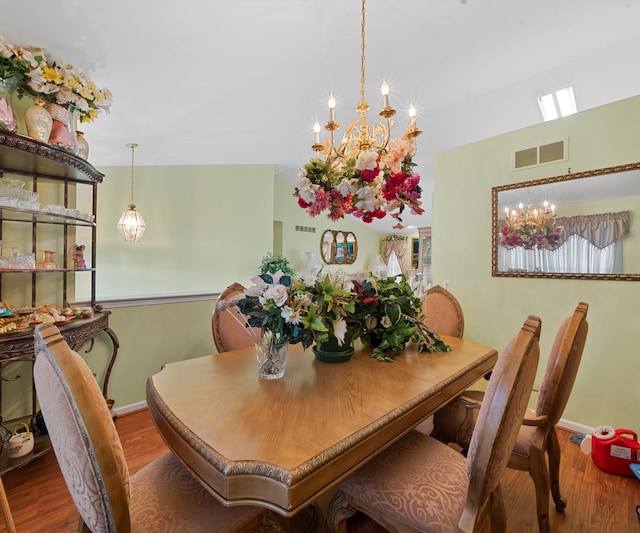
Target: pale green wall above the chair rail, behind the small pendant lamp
207, 226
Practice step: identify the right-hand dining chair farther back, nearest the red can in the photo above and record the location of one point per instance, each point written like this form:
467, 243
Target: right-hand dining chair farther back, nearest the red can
537, 439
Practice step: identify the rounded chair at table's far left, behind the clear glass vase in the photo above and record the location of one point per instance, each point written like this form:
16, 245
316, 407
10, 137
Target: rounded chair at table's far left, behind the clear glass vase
230, 331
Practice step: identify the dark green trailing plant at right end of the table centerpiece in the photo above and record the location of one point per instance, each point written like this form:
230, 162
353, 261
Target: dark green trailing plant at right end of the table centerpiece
390, 315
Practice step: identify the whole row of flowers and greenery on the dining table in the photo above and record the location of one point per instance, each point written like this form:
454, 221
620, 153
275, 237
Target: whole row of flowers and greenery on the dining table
316, 308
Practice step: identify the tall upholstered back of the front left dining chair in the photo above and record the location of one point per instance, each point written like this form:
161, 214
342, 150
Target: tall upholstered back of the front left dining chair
82, 433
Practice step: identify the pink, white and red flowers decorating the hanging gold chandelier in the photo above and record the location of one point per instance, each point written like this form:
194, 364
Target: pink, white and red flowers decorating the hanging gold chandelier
368, 186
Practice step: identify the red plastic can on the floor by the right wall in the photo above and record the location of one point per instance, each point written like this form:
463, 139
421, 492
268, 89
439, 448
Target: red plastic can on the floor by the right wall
615, 450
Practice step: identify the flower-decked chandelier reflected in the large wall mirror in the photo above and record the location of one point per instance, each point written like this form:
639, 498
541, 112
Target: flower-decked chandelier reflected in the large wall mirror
530, 227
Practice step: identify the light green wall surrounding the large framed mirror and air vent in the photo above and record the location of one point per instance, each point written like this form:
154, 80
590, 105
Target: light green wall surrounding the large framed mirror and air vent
606, 390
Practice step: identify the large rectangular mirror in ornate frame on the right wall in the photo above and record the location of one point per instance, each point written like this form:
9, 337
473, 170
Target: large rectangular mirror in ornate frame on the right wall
581, 225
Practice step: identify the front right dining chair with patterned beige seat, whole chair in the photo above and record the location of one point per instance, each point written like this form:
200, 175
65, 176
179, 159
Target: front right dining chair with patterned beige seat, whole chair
421, 484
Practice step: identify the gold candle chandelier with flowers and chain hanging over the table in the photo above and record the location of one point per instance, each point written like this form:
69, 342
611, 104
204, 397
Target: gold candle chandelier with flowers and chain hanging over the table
368, 174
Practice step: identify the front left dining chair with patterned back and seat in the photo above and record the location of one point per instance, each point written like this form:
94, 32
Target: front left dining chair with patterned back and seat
161, 497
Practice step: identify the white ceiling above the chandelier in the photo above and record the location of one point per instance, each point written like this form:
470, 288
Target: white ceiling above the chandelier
211, 82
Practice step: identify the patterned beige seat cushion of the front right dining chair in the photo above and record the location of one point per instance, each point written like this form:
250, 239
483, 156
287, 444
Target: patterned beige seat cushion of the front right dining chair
419, 483
